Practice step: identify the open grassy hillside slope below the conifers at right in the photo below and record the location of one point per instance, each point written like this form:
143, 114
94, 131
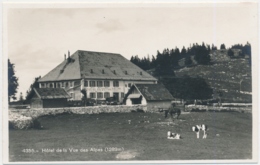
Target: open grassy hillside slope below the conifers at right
231, 76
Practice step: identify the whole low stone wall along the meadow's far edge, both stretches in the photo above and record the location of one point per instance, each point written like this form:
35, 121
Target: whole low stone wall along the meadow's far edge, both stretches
36, 112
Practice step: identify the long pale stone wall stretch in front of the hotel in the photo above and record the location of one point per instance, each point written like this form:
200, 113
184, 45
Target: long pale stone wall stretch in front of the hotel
36, 112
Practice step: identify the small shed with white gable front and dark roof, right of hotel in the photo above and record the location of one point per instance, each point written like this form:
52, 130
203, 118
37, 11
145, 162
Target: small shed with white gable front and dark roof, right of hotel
153, 95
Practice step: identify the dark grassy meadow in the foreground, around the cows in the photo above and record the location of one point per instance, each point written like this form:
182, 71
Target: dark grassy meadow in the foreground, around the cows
229, 137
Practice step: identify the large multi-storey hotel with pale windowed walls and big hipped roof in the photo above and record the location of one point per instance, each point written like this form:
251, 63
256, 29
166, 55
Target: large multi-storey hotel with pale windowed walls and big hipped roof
102, 75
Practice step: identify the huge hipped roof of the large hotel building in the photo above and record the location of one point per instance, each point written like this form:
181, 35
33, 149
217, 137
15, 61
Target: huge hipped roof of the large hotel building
96, 65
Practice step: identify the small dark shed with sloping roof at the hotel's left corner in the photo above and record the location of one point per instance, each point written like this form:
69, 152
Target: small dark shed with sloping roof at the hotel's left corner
48, 98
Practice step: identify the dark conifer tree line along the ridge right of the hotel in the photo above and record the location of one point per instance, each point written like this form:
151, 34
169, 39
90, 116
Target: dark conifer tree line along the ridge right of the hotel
169, 58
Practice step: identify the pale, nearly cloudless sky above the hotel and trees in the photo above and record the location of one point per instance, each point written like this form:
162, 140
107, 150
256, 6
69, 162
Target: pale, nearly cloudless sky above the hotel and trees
38, 36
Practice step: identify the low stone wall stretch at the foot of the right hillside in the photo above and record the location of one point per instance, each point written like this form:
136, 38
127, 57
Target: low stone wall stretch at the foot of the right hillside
218, 109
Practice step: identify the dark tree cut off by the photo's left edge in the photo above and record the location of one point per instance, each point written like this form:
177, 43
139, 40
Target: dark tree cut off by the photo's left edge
12, 81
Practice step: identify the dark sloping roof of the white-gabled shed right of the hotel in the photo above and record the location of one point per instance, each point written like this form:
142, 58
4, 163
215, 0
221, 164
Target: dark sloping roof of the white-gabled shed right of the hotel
154, 92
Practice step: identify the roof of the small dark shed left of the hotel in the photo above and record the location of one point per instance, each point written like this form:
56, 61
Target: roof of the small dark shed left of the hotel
51, 93
